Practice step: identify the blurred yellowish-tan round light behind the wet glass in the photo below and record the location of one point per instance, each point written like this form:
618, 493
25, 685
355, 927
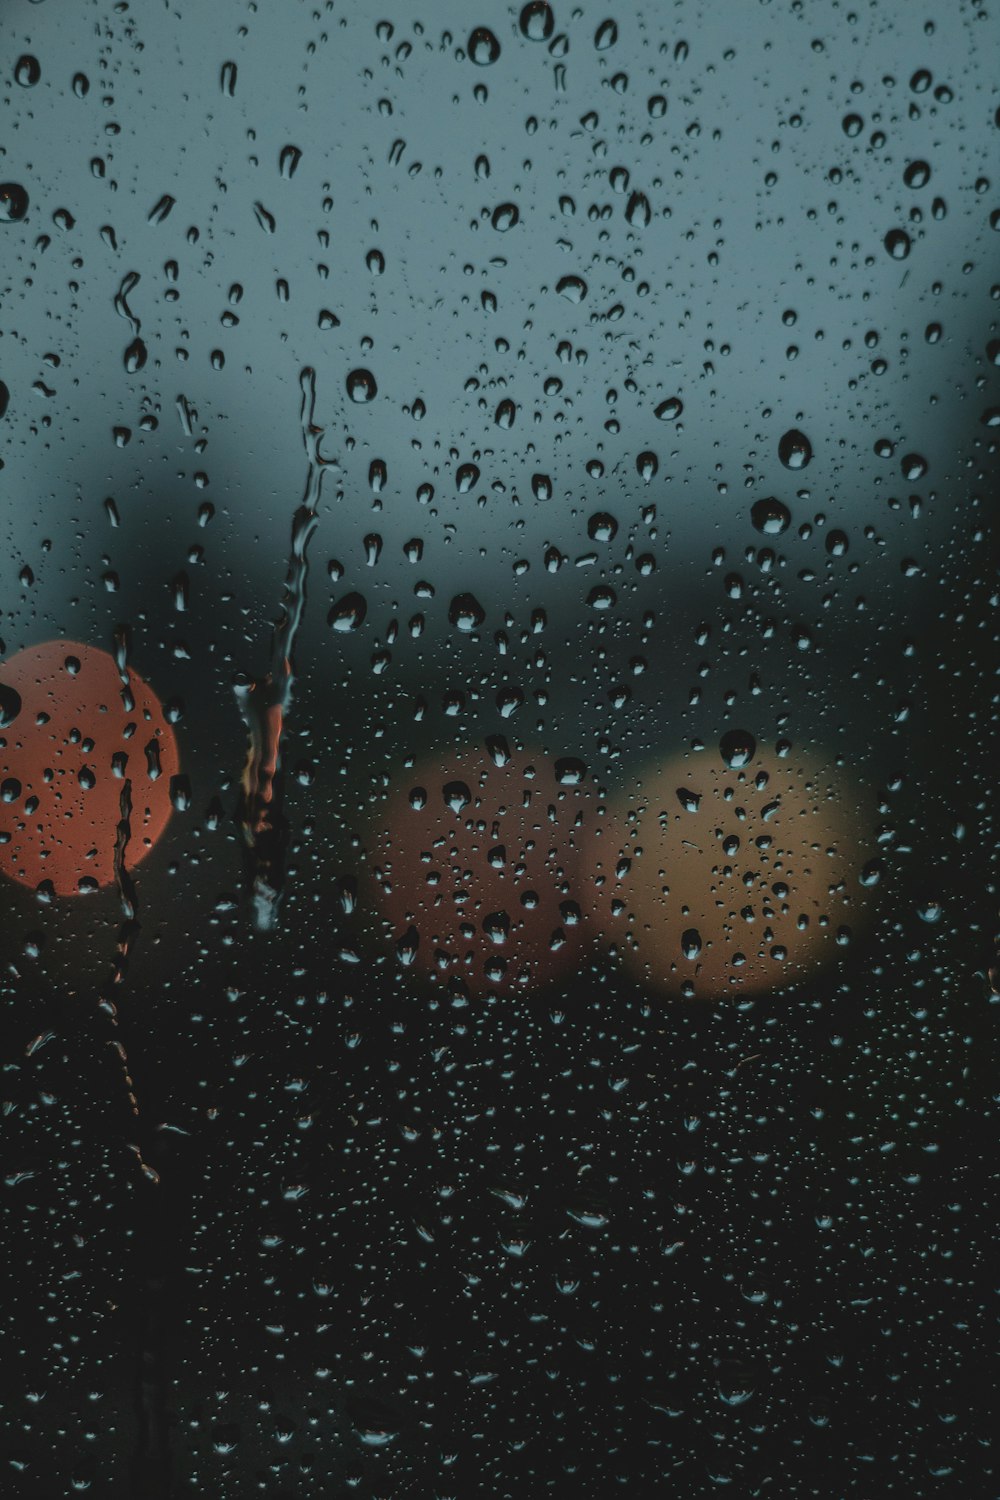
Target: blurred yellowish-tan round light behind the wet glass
719, 880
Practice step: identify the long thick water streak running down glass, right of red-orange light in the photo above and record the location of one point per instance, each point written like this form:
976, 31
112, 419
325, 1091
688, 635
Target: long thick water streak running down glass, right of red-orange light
265, 701
